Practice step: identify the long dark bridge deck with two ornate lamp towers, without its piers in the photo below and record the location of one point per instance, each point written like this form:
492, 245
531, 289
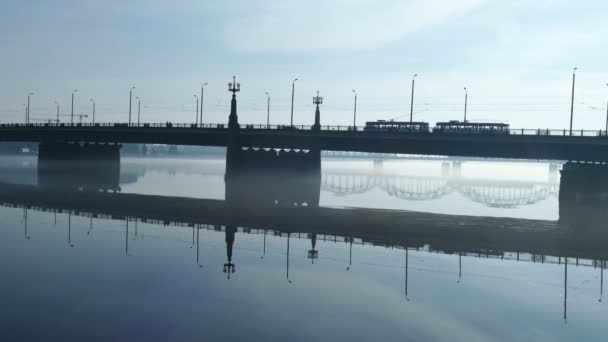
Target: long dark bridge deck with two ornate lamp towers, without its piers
591, 146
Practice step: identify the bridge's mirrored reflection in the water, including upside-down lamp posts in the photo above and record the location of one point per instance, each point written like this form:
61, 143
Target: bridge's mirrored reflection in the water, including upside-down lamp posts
291, 210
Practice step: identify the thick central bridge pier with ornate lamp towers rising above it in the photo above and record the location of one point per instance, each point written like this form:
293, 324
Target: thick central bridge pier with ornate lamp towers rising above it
260, 176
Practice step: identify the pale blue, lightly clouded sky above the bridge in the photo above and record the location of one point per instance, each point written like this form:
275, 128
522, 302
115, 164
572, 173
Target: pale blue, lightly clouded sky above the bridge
516, 59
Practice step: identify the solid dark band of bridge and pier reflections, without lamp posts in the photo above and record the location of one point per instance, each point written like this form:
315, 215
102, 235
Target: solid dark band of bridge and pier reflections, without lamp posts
287, 201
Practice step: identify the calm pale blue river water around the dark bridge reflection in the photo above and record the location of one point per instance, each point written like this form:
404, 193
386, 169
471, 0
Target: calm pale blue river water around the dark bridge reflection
78, 274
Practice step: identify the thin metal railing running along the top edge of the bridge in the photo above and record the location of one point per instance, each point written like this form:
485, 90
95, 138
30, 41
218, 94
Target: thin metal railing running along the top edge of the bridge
299, 128
